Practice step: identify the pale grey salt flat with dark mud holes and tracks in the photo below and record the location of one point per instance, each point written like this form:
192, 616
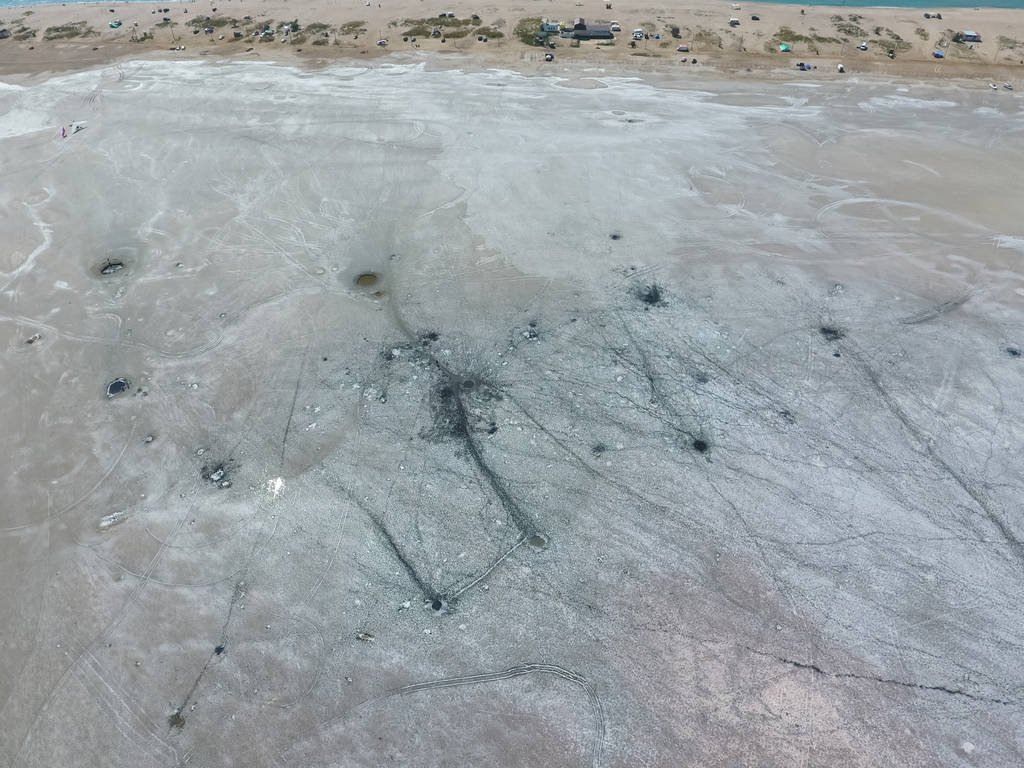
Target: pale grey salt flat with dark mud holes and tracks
476, 418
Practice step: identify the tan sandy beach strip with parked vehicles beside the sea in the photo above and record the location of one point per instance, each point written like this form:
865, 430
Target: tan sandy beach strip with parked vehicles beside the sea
80, 35
